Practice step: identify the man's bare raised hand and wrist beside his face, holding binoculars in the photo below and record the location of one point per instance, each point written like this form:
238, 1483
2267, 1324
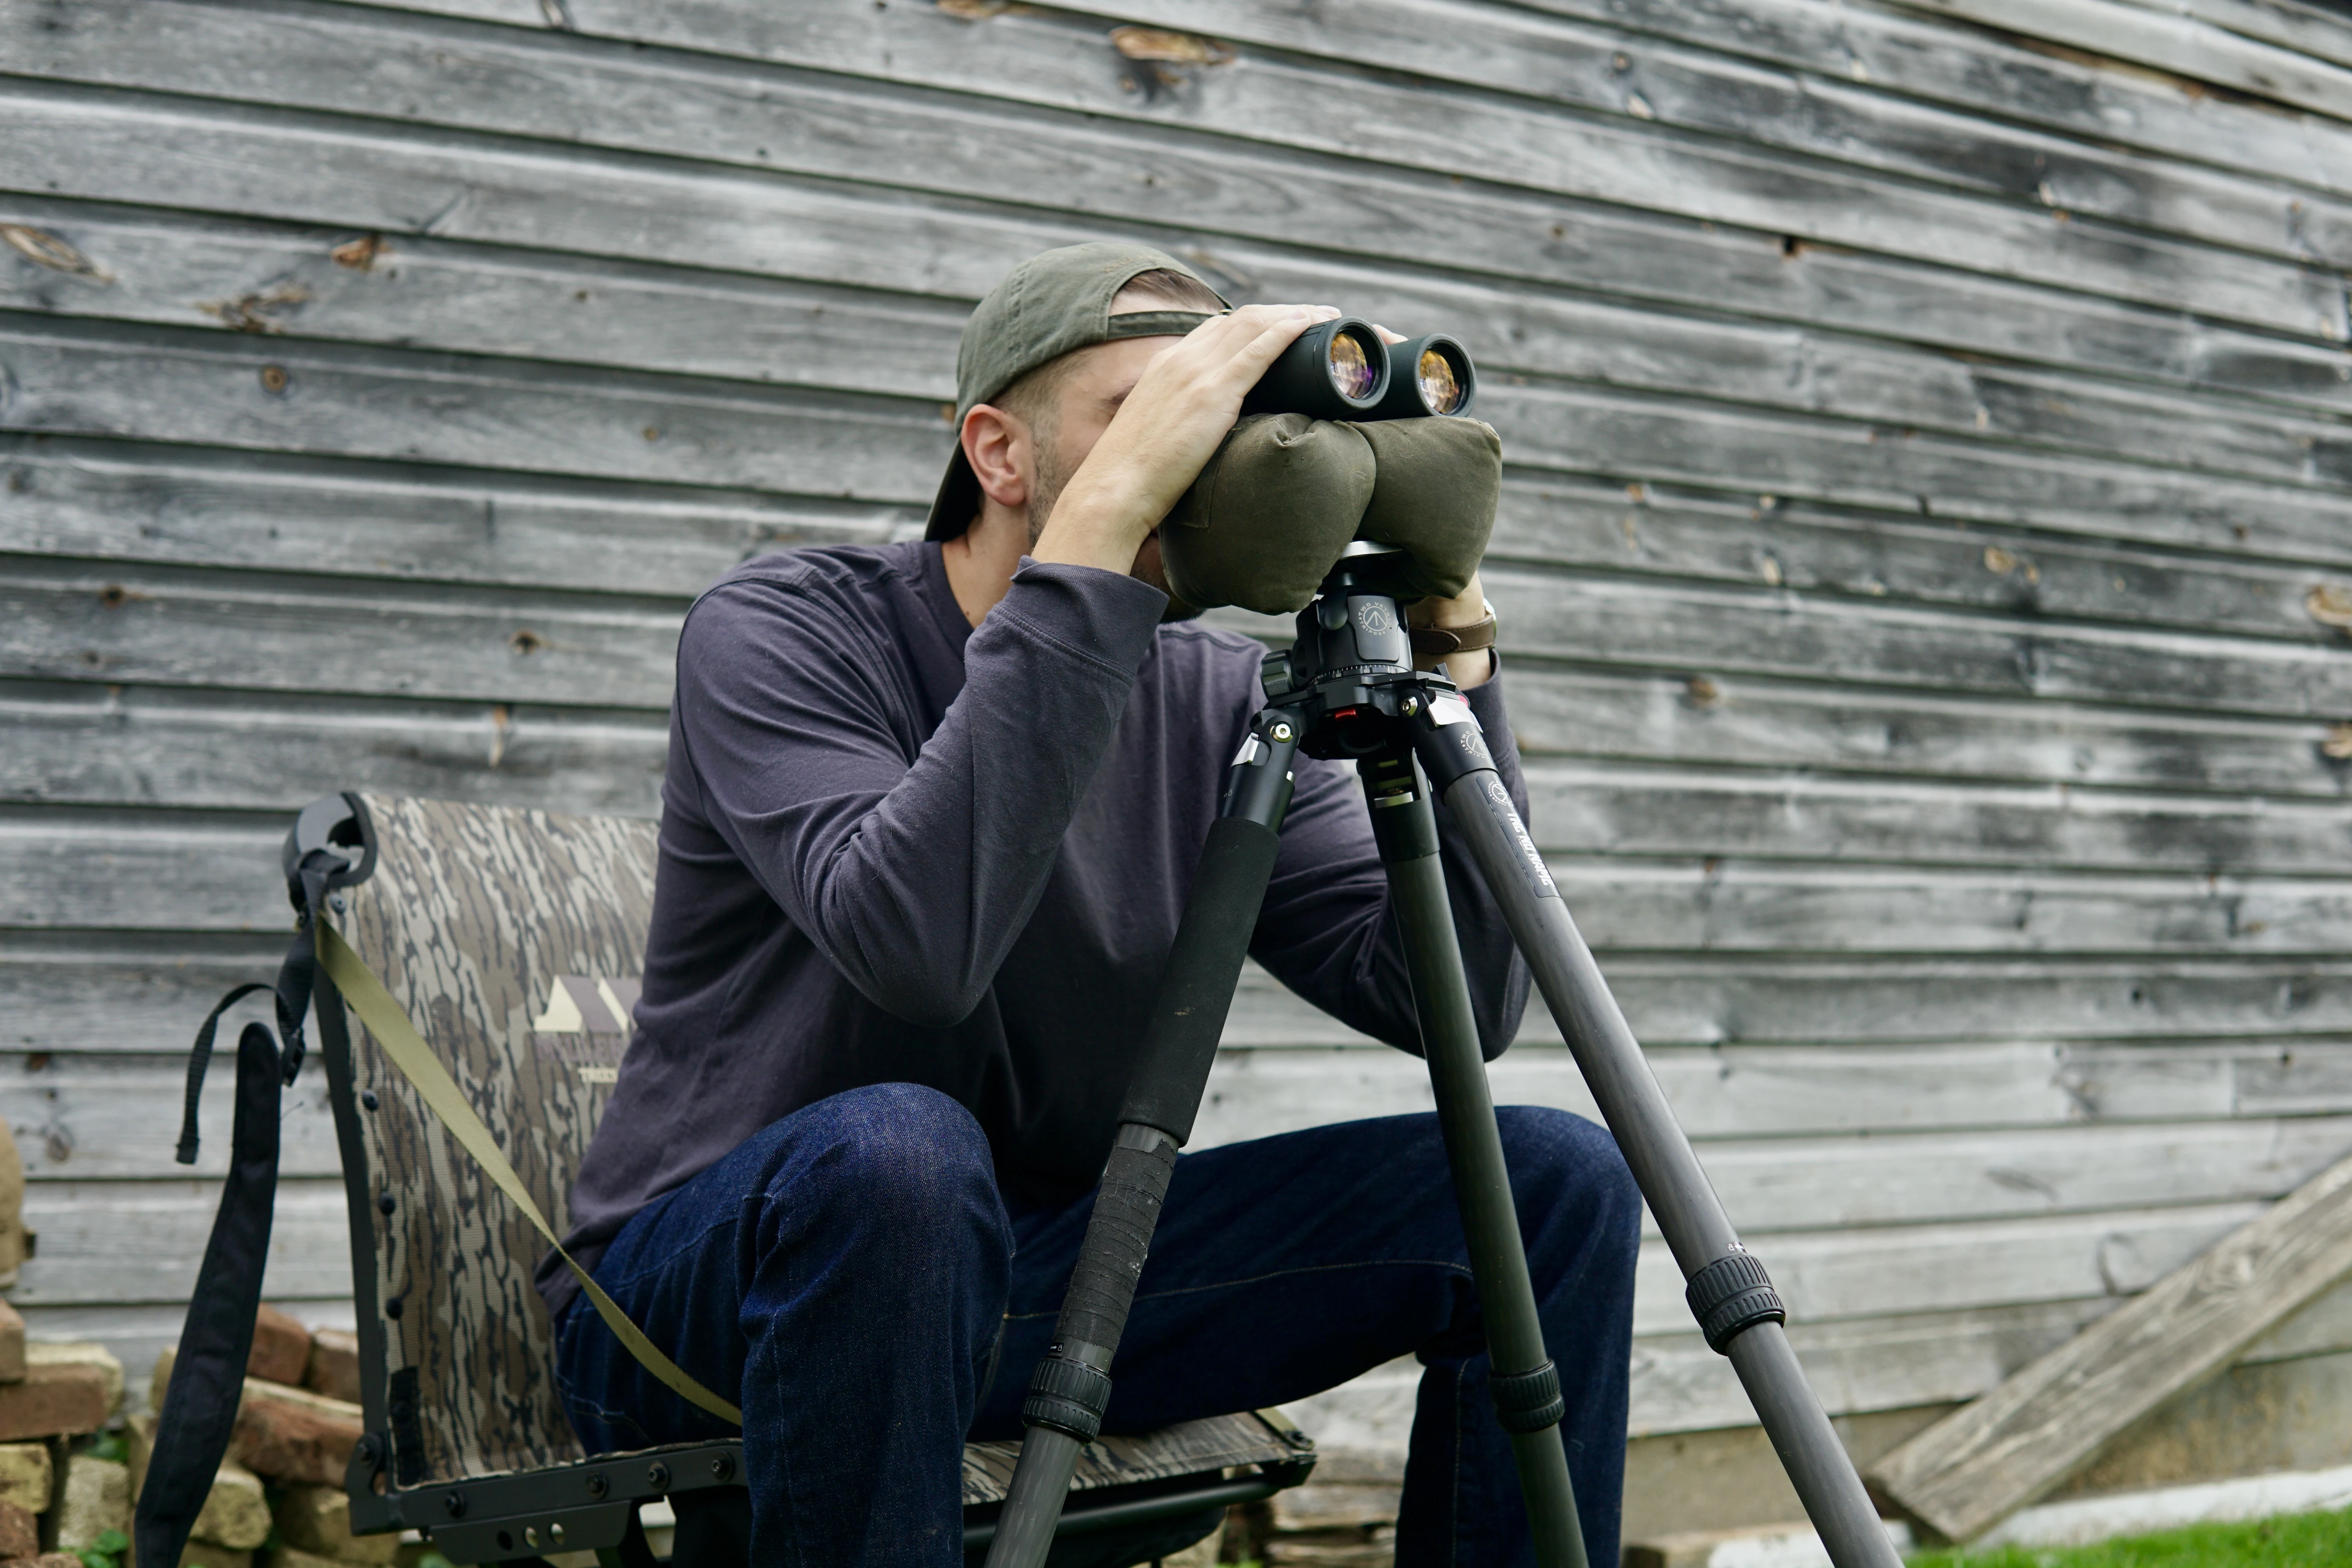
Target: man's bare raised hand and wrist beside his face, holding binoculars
1165, 431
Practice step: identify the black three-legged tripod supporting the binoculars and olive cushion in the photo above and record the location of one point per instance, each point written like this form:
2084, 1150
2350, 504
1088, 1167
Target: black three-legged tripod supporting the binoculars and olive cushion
1349, 690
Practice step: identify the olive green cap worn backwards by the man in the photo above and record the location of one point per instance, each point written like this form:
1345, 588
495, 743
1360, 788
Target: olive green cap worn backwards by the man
1045, 307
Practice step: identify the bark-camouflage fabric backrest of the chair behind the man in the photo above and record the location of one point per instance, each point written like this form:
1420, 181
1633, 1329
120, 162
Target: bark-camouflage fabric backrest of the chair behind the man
514, 942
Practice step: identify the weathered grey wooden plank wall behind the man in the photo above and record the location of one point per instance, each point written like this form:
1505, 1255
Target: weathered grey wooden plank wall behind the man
1923, 556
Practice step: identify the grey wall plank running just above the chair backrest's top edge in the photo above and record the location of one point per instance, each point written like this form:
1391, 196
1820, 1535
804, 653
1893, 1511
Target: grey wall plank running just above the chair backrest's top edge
121, 744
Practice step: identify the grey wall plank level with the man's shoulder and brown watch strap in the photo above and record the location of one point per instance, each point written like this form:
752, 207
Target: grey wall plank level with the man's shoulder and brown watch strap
133, 624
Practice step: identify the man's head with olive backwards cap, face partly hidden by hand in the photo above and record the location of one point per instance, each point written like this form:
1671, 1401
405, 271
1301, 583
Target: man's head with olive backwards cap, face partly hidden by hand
1045, 363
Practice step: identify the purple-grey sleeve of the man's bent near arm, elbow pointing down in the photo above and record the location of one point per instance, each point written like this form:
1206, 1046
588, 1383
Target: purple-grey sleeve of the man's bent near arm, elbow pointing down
909, 862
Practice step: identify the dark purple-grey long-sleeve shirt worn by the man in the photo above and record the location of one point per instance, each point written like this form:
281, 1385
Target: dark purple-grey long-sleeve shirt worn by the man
897, 850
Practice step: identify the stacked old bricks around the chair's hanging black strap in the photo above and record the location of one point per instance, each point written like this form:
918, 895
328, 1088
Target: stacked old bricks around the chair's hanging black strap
279, 1499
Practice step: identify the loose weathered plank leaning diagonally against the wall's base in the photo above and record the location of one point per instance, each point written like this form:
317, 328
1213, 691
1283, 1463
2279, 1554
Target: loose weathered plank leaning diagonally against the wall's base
2024, 1438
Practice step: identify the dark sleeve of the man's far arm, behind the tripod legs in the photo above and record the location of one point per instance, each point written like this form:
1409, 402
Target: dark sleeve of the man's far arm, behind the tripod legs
1328, 930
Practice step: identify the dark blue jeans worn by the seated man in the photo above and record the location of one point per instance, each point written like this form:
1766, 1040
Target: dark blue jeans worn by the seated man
855, 1280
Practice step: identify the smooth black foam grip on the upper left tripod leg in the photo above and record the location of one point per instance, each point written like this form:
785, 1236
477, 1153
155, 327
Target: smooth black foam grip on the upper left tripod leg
1196, 989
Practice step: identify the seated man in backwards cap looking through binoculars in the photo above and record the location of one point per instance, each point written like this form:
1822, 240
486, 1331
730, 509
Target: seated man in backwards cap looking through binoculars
928, 829
